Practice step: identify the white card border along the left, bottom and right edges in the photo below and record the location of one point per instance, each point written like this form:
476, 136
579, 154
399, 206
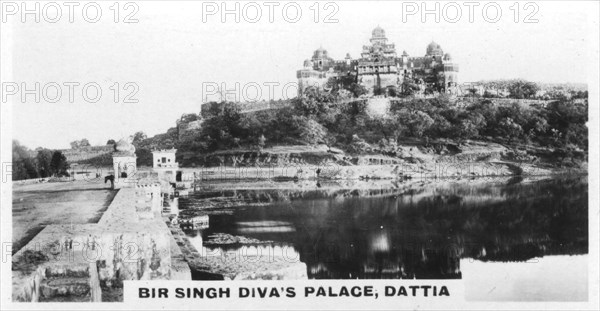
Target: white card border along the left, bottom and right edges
594, 186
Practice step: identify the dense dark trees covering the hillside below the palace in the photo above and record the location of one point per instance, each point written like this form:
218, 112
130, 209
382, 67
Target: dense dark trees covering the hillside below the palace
332, 118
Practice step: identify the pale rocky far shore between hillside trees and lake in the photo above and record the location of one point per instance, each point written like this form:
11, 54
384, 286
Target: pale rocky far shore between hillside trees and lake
438, 160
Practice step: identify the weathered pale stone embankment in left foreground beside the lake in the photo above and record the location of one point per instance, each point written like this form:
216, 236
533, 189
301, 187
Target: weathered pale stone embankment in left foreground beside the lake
79, 262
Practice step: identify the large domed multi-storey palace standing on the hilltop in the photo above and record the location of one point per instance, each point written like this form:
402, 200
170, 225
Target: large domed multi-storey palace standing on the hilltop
379, 68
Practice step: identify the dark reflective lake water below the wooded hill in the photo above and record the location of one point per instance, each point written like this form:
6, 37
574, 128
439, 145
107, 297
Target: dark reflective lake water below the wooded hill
508, 240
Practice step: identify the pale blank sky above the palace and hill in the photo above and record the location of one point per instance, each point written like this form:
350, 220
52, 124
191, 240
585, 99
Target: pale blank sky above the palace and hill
176, 53
